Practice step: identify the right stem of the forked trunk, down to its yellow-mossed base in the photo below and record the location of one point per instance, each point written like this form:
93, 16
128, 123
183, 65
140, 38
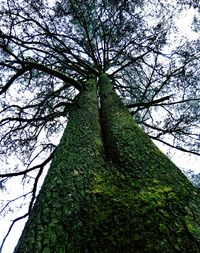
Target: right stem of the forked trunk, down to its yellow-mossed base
155, 207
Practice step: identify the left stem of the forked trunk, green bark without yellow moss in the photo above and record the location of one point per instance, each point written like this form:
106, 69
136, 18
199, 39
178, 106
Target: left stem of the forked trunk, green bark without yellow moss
58, 220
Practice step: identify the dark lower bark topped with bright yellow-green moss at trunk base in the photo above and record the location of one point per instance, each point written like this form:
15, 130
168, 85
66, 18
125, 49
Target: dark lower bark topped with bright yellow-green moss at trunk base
124, 217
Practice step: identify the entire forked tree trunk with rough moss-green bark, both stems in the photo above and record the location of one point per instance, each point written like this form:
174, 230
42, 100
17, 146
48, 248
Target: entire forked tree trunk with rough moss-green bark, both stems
118, 195
